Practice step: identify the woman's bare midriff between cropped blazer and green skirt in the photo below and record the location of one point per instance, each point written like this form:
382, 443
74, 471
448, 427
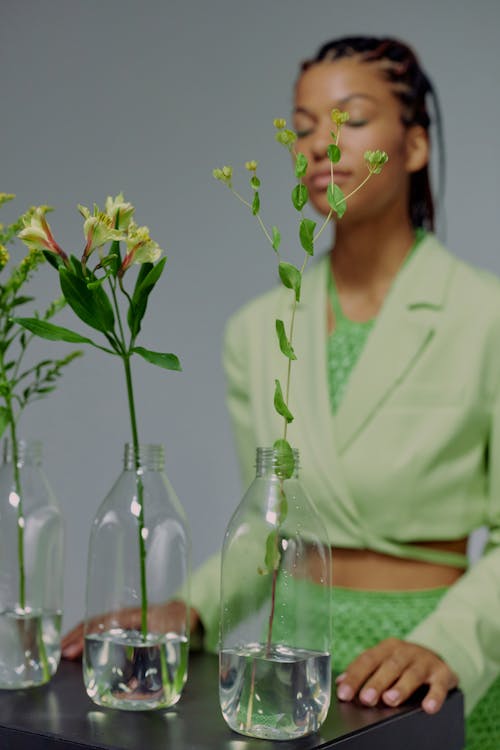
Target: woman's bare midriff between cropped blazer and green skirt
374, 571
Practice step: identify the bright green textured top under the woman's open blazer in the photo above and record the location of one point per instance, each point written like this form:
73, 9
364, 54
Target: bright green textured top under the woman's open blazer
346, 342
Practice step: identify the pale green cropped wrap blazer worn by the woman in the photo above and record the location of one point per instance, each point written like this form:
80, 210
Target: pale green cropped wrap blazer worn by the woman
413, 451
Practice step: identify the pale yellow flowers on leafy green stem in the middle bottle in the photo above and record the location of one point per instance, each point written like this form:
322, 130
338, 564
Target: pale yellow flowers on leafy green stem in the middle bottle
86, 294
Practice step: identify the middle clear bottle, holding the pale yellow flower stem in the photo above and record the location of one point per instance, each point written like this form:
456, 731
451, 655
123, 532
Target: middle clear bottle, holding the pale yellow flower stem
137, 609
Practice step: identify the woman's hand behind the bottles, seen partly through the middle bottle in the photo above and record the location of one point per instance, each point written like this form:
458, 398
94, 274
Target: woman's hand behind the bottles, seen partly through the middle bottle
161, 618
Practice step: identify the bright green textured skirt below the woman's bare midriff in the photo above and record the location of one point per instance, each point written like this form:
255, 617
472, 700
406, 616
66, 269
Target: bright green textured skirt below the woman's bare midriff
361, 619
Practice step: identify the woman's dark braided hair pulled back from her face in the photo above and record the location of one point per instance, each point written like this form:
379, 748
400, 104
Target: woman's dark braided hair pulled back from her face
411, 85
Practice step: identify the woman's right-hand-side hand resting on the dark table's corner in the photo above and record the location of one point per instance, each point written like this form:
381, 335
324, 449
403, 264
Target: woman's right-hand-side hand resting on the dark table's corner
392, 670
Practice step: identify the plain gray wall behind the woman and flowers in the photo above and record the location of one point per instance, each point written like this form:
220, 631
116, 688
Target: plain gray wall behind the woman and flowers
147, 97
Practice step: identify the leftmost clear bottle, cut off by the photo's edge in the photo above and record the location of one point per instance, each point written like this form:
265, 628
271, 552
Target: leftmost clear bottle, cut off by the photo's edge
31, 569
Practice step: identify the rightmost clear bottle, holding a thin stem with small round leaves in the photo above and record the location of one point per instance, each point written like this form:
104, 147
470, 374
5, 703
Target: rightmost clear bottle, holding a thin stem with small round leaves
275, 629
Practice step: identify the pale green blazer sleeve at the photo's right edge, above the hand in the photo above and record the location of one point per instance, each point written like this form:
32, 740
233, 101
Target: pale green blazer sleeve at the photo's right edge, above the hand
465, 627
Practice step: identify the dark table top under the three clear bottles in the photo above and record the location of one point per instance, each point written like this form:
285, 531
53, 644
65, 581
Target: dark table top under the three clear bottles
60, 716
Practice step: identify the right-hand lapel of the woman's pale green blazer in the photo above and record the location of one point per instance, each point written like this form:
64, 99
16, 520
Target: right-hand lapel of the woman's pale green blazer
402, 332
